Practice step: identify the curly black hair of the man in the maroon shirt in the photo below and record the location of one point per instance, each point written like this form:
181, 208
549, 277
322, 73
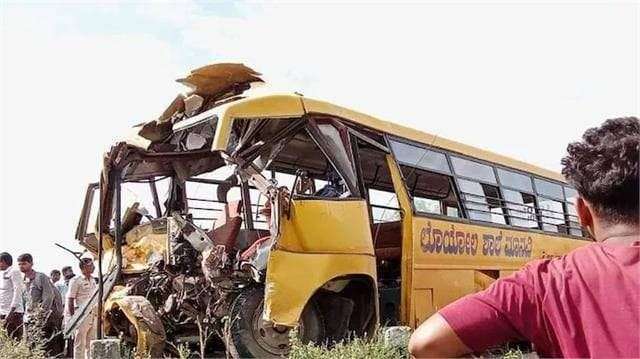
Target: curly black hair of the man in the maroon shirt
603, 167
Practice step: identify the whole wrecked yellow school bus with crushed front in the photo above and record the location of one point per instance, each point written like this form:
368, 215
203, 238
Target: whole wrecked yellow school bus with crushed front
234, 217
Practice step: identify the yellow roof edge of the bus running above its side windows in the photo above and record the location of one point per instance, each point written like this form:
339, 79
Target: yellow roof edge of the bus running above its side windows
293, 105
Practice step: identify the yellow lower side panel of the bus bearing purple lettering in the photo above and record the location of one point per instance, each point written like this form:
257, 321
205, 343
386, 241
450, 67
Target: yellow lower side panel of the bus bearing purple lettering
453, 259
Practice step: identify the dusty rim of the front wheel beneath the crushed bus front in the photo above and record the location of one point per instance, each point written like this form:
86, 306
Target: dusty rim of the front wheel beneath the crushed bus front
272, 338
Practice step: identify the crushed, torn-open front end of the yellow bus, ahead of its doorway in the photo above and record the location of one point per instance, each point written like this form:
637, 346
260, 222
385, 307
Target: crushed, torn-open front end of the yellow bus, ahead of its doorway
212, 249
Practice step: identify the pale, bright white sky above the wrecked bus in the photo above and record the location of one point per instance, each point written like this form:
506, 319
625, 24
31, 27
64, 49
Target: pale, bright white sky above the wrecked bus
520, 79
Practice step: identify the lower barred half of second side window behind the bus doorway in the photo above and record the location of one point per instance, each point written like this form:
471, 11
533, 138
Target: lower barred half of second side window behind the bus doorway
482, 201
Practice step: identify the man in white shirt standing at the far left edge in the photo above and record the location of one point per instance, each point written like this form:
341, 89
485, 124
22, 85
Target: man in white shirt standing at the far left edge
11, 289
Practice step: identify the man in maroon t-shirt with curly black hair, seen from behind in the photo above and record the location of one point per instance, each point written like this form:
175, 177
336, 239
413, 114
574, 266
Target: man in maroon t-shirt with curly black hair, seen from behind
585, 304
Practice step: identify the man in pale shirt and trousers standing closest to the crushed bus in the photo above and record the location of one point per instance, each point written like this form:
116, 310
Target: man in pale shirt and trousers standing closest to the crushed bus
80, 291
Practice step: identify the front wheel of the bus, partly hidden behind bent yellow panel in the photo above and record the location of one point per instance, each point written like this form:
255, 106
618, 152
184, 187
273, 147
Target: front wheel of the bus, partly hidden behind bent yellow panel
253, 337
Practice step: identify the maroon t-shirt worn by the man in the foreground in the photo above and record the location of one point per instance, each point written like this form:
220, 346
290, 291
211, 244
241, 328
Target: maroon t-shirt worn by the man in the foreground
585, 304
